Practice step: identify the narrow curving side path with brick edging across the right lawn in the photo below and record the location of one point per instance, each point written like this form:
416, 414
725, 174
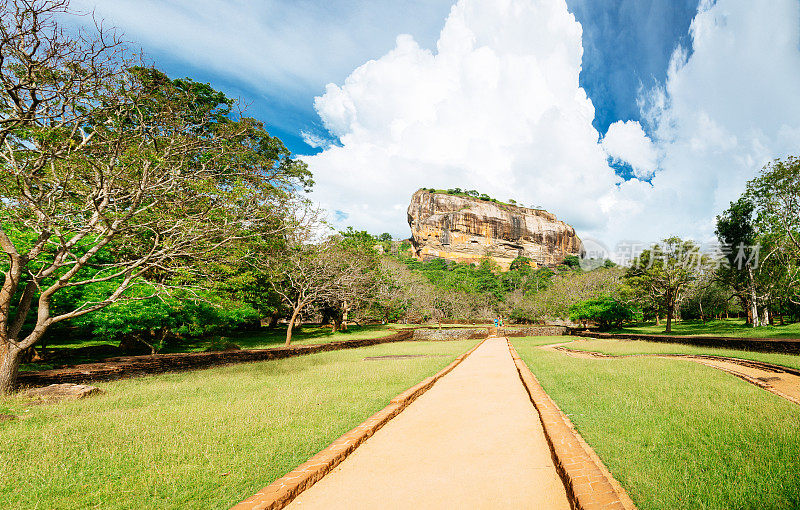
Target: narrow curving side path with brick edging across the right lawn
782, 381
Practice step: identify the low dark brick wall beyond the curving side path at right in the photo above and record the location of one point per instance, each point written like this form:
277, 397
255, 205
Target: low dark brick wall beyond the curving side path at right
789, 346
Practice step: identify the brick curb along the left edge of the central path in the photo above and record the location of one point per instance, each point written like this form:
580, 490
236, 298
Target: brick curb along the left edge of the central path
282, 491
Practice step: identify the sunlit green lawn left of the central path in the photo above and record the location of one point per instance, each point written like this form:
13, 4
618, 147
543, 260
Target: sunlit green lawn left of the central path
202, 439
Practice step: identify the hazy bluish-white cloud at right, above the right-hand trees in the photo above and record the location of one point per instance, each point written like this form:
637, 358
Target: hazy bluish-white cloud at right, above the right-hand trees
728, 107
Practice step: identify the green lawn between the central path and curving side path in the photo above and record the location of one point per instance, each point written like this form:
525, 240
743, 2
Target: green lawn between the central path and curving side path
677, 434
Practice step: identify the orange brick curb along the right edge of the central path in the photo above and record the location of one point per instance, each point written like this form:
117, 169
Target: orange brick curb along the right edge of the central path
589, 484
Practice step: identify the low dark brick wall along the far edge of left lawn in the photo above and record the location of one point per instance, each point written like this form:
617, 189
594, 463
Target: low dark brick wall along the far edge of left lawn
116, 368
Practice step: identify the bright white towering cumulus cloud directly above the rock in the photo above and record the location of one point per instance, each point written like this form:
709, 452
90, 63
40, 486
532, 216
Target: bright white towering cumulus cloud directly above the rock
497, 107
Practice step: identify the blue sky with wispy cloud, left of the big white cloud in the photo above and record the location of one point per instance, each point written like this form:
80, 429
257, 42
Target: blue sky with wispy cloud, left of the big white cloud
341, 33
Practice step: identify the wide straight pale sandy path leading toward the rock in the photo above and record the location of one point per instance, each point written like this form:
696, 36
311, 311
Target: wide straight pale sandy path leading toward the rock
472, 441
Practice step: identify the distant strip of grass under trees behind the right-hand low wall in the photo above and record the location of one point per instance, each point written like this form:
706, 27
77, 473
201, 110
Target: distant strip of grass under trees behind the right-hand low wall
725, 327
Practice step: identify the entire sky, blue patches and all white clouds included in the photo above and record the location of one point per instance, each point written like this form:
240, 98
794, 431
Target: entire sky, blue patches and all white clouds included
629, 119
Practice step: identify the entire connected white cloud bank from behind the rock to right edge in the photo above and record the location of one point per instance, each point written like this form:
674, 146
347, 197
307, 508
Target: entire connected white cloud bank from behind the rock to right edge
497, 107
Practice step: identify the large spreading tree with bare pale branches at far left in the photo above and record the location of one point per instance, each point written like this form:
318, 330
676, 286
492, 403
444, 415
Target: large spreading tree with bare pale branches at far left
112, 173
